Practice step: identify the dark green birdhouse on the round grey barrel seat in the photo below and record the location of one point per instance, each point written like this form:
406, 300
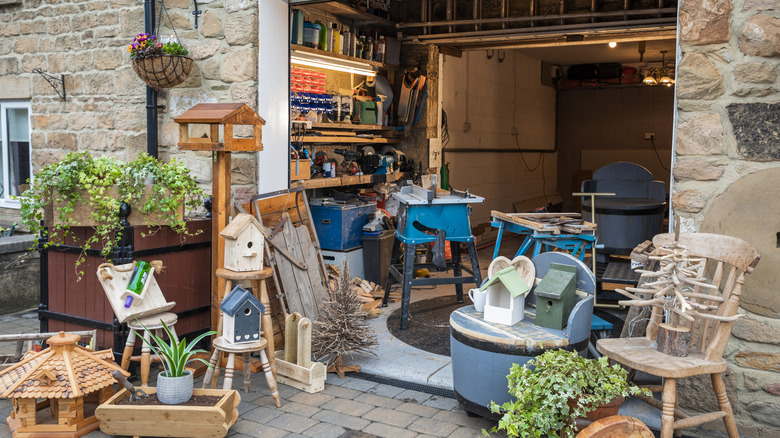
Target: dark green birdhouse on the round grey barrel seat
555, 296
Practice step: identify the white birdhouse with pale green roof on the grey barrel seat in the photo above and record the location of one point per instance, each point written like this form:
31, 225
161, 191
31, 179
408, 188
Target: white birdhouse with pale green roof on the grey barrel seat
505, 301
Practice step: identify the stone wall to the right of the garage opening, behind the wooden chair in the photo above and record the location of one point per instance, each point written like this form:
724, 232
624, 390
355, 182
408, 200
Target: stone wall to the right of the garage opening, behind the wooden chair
726, 173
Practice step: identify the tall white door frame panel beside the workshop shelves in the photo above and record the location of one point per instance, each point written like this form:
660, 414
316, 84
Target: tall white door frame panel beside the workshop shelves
274, 94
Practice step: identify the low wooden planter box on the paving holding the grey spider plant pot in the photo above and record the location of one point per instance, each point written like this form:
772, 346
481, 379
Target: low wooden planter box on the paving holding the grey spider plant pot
172, 420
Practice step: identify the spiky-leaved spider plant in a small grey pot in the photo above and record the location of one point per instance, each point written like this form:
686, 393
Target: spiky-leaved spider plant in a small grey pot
174, 384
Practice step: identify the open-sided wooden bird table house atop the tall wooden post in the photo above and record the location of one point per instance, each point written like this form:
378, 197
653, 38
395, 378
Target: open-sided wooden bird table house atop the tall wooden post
220, 115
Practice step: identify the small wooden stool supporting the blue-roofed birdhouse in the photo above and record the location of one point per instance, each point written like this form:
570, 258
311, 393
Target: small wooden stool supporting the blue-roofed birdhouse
221, 345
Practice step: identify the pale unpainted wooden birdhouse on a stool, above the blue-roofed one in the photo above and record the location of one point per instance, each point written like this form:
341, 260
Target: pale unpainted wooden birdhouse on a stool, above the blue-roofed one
243, 244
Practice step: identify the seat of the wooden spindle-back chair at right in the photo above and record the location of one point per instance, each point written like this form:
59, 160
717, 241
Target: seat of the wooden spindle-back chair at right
641, 354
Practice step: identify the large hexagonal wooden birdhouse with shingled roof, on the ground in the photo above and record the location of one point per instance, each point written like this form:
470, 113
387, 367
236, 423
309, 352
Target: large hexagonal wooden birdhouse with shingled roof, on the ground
71, 380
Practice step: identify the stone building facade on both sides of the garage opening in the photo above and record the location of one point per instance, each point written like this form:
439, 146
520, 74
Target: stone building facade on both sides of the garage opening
727, 152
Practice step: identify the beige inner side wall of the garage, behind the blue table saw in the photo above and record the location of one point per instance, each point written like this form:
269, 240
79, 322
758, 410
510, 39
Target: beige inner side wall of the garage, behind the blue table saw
493, 98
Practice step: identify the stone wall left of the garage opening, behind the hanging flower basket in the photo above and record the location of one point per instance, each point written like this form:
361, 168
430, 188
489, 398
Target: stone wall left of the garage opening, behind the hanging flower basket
105, 110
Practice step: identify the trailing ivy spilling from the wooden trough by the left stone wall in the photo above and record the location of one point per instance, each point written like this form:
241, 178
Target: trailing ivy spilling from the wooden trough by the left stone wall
99, 185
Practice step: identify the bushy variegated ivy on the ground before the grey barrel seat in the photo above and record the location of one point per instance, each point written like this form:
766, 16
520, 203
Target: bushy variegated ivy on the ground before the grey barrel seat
557, 387
